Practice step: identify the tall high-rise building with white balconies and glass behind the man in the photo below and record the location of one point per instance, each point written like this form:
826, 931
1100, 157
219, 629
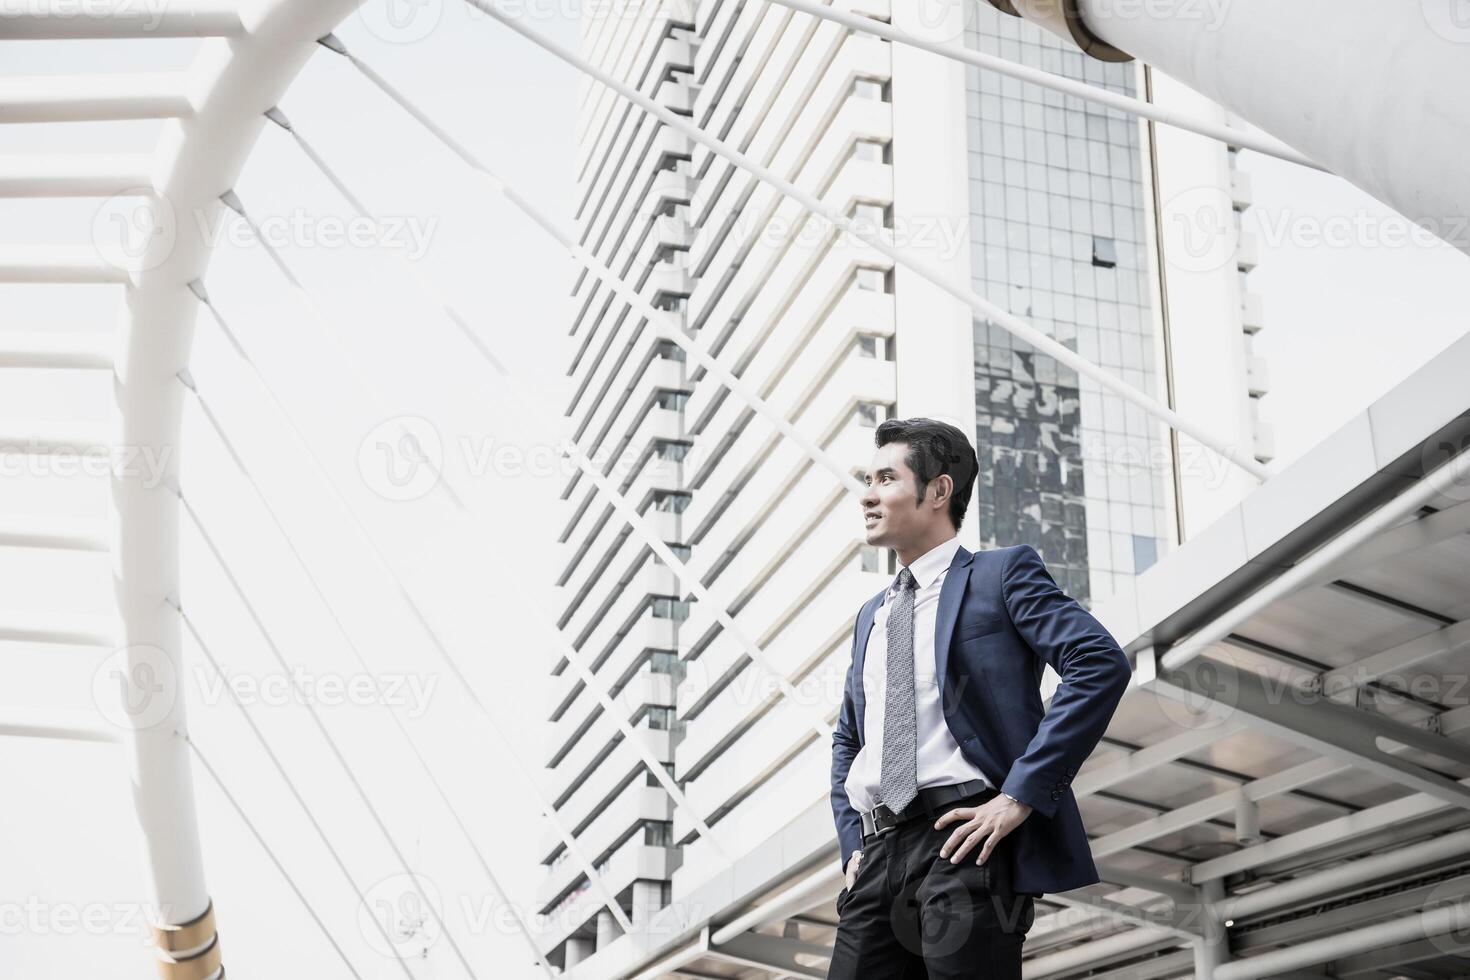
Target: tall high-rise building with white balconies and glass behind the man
1046, 205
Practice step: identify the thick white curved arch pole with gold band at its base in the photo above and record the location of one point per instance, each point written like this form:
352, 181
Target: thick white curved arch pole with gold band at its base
198, 158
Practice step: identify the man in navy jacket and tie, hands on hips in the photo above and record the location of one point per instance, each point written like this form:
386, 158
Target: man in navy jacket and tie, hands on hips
950, 784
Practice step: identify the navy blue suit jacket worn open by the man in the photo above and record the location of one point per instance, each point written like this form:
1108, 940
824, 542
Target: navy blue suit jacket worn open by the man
1002, 618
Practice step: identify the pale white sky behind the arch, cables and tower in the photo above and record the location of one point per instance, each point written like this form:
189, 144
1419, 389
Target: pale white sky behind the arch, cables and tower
364, 359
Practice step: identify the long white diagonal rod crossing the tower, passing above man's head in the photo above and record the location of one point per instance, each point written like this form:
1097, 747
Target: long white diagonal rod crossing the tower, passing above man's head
956, 289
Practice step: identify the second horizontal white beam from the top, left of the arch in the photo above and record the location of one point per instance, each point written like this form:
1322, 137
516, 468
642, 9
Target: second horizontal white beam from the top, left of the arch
95, 98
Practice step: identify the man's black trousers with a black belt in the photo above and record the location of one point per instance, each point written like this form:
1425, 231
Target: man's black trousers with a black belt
914, 915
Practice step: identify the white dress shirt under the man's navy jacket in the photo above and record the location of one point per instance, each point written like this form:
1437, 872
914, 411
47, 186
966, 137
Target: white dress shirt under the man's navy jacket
940, 757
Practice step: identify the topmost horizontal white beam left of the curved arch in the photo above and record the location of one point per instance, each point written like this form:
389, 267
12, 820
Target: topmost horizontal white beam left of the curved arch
87, 20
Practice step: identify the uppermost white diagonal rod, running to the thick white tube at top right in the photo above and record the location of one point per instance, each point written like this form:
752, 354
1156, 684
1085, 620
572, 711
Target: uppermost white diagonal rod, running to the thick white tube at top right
1058, 83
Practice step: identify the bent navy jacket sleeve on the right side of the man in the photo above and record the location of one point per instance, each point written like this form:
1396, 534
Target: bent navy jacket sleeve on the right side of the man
1094, 677
